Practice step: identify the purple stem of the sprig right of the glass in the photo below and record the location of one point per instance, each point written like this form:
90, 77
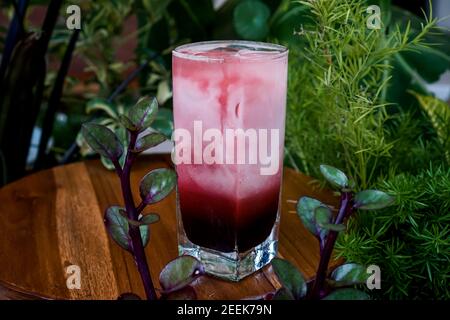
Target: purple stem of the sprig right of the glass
345, 210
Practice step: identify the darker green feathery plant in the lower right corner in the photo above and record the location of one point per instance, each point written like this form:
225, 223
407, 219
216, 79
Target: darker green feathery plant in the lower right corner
410, 241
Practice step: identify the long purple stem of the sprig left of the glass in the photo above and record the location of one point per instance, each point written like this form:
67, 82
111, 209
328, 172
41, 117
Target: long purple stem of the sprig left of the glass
134, 232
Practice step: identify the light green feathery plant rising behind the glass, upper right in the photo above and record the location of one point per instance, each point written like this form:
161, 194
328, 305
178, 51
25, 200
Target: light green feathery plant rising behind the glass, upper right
340, 83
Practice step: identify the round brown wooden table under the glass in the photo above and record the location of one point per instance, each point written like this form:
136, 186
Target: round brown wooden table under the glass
54, 218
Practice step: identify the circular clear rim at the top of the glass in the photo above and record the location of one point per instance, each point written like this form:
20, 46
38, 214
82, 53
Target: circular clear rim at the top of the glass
282, 50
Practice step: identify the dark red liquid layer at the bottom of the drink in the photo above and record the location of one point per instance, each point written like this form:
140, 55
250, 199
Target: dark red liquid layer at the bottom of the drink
224, 224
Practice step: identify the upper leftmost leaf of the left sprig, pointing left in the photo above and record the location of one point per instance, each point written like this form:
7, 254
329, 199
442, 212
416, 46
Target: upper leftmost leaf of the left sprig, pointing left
102, 140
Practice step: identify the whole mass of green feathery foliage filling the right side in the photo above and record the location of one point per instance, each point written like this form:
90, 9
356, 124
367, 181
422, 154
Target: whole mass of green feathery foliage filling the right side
350, 105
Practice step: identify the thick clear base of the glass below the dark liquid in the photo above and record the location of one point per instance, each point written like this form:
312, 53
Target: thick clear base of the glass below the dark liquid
232, 266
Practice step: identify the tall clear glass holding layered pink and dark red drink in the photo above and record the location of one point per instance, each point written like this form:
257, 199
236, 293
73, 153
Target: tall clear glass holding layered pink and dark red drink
229, 102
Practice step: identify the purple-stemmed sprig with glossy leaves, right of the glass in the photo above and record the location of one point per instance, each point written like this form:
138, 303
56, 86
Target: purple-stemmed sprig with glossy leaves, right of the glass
319, 219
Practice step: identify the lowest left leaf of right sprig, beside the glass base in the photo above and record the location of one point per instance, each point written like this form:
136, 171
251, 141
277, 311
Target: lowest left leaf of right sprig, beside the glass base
290, 277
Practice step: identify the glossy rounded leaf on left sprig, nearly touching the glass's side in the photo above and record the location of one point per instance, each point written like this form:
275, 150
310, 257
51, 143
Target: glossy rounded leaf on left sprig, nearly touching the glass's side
157, 184
